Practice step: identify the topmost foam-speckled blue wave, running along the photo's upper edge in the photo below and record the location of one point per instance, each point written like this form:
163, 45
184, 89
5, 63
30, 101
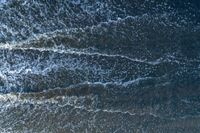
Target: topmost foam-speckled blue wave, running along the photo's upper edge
66, 17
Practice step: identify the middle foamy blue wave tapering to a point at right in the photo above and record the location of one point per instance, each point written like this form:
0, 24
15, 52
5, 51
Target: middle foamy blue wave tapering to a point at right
44, 68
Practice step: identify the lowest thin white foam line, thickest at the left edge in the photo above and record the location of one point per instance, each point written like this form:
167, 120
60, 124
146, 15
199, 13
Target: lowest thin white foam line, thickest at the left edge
14, 100
